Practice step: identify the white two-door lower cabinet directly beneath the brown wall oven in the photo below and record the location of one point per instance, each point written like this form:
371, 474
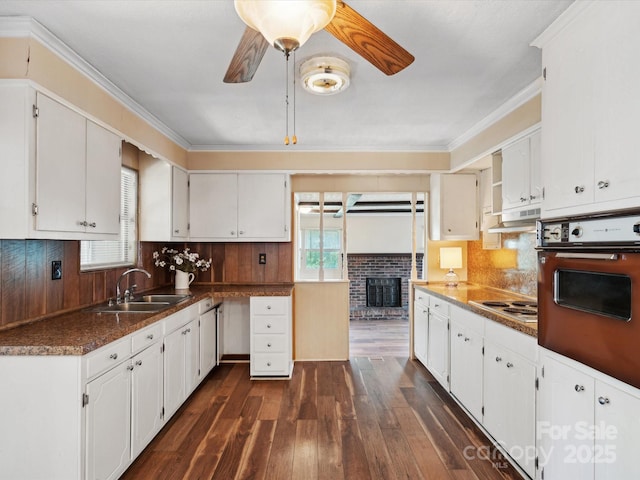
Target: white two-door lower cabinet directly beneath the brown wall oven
588, 423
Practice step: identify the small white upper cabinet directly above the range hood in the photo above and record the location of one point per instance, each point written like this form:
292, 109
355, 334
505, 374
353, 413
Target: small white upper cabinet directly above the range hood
521, 182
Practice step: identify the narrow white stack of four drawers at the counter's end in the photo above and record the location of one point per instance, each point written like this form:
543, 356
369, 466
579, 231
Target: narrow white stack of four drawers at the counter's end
270, 336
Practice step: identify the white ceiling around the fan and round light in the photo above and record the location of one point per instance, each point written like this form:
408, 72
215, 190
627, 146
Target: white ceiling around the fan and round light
170, 57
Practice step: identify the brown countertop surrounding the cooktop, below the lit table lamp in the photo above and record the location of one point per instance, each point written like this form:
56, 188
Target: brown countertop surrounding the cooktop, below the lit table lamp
466, 292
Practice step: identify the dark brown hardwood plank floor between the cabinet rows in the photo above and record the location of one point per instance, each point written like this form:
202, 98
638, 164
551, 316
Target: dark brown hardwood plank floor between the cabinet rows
372, 417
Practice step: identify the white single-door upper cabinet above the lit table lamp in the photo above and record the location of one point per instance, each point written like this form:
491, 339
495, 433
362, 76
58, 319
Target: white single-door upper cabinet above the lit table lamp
454, 207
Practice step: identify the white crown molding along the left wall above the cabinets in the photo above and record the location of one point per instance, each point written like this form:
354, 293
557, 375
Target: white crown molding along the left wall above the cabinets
18, 27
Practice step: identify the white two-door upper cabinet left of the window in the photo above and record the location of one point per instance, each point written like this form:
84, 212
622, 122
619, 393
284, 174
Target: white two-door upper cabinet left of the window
64, 180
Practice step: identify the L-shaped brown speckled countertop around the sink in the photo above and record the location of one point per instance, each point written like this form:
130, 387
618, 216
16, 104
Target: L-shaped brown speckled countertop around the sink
83, 331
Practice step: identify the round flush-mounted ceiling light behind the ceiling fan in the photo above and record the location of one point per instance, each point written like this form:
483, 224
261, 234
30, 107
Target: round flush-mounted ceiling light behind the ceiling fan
325, 75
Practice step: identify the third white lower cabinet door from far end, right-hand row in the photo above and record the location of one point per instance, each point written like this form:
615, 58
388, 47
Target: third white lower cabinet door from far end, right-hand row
466, 368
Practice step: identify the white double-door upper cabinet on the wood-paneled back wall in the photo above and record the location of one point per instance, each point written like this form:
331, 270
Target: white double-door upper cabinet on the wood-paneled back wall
239, 207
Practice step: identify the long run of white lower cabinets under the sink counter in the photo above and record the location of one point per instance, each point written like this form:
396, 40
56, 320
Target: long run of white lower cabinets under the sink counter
88, 417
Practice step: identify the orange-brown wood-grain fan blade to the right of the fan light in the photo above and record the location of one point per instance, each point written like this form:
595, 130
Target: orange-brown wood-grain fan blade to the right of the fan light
367, 40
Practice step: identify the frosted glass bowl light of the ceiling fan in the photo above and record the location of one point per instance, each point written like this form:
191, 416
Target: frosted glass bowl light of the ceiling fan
286, 22
